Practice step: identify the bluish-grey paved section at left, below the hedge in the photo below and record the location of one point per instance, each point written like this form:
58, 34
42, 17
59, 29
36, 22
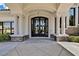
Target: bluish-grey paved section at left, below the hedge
5, 47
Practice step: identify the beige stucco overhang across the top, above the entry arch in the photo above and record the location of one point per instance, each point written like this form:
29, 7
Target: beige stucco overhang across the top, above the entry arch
20, 8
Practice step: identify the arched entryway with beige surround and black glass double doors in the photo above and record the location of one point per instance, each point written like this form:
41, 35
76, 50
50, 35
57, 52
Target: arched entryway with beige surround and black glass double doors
40, 14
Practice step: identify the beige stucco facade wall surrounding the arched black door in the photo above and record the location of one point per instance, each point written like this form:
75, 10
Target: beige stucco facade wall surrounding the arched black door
27, 11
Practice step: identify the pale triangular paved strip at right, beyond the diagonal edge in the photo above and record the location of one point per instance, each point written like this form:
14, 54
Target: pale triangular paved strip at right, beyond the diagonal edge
71, 47
